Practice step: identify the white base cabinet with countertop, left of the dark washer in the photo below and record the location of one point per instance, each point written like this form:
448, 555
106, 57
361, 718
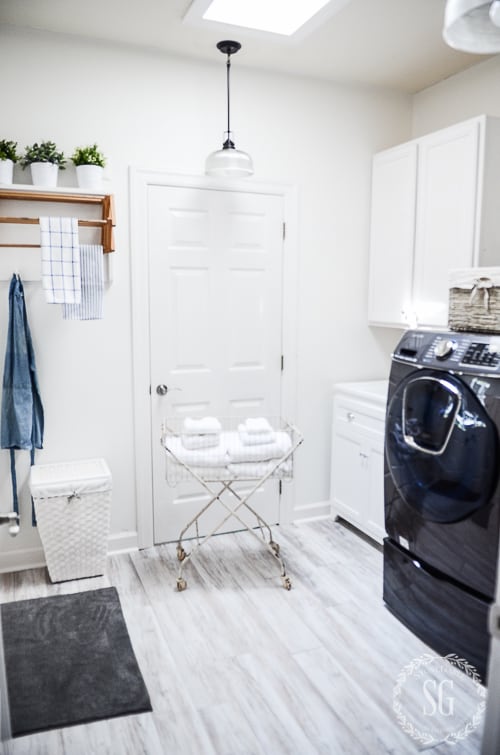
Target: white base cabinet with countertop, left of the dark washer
357, 465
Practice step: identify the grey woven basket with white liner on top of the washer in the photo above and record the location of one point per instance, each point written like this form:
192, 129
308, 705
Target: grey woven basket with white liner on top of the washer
474, 302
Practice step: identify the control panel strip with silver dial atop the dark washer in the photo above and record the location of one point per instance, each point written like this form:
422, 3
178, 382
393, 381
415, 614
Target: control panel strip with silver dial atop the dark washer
470, 352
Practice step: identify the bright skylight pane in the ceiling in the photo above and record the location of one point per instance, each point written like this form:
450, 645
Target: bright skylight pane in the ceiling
276, 16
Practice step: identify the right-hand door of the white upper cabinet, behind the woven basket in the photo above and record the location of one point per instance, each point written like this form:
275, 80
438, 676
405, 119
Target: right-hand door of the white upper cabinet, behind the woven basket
446, 216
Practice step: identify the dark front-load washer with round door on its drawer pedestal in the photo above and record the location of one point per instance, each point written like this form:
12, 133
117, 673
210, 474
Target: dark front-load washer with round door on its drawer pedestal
442, 492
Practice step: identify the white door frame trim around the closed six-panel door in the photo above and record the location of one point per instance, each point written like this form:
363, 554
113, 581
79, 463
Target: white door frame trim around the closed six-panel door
140, 181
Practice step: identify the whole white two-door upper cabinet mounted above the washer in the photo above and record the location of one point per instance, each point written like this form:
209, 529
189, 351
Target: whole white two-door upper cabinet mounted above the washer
433, 210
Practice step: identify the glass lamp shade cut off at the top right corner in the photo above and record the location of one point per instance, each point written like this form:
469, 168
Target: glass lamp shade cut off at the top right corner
473, 26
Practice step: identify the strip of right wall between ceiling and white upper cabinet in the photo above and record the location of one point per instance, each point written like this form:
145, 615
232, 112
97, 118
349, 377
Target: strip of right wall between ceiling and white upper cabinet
466, 95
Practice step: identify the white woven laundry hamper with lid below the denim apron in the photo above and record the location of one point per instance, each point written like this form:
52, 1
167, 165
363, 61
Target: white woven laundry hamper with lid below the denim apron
73, 506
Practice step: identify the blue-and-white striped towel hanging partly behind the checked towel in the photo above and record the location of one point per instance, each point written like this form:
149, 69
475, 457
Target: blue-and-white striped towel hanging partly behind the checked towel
91, 265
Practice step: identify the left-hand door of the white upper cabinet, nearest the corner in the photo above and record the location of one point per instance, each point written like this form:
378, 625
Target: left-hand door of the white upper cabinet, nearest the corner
394, 180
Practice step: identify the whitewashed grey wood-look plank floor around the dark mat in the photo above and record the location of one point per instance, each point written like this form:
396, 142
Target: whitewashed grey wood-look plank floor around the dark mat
237, 665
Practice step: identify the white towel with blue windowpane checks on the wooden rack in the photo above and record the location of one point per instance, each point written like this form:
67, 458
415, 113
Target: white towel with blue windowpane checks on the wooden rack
60, 260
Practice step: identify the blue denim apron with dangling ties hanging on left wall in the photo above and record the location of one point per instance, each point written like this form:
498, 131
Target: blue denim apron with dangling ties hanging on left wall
21, 420
